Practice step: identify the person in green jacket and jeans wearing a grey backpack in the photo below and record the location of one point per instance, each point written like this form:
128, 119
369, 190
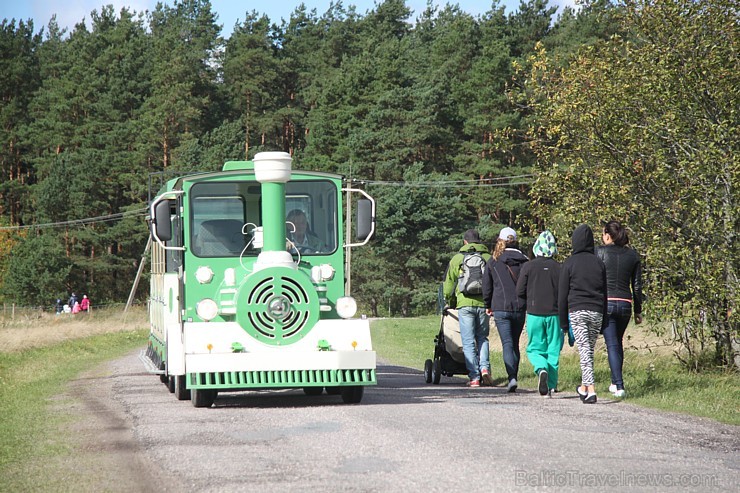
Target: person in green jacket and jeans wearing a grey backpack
463, 289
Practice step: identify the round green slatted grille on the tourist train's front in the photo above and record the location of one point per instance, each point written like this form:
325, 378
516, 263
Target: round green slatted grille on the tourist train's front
277, 306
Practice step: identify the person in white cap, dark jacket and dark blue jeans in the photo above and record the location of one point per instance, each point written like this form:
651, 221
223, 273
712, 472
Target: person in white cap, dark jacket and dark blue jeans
499, 296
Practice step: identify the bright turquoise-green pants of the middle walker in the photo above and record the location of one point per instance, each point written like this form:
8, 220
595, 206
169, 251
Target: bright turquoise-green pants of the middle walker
545, 343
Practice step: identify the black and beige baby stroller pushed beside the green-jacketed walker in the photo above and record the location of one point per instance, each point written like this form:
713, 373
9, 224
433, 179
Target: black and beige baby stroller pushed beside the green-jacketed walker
448, 359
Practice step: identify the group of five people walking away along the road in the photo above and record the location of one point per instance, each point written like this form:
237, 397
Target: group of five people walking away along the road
595, 291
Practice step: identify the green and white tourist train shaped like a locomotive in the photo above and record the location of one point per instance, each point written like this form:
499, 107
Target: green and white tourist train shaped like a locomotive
250, 282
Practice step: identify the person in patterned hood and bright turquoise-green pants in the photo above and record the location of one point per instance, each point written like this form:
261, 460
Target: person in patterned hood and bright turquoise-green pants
537, 288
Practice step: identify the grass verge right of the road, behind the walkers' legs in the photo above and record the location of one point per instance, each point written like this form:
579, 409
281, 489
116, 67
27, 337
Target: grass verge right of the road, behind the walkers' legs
652, 380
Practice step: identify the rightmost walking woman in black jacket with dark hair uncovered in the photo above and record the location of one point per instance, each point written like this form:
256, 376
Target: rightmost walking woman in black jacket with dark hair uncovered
624, 295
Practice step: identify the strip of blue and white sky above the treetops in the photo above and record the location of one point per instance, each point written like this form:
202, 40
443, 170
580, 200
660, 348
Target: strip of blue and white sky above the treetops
70, 12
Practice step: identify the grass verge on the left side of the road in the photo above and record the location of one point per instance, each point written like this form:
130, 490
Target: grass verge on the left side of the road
31, 432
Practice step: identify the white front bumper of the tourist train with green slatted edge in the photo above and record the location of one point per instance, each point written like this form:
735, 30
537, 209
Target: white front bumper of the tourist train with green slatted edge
336, 353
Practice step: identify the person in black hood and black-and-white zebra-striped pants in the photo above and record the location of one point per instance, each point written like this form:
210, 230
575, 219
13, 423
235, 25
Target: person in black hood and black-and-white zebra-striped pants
582, 304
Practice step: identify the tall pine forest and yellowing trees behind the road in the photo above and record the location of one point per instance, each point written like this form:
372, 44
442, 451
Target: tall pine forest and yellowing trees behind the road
535, 118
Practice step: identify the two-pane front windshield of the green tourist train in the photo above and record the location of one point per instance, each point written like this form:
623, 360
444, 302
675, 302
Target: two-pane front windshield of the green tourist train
224, 214
